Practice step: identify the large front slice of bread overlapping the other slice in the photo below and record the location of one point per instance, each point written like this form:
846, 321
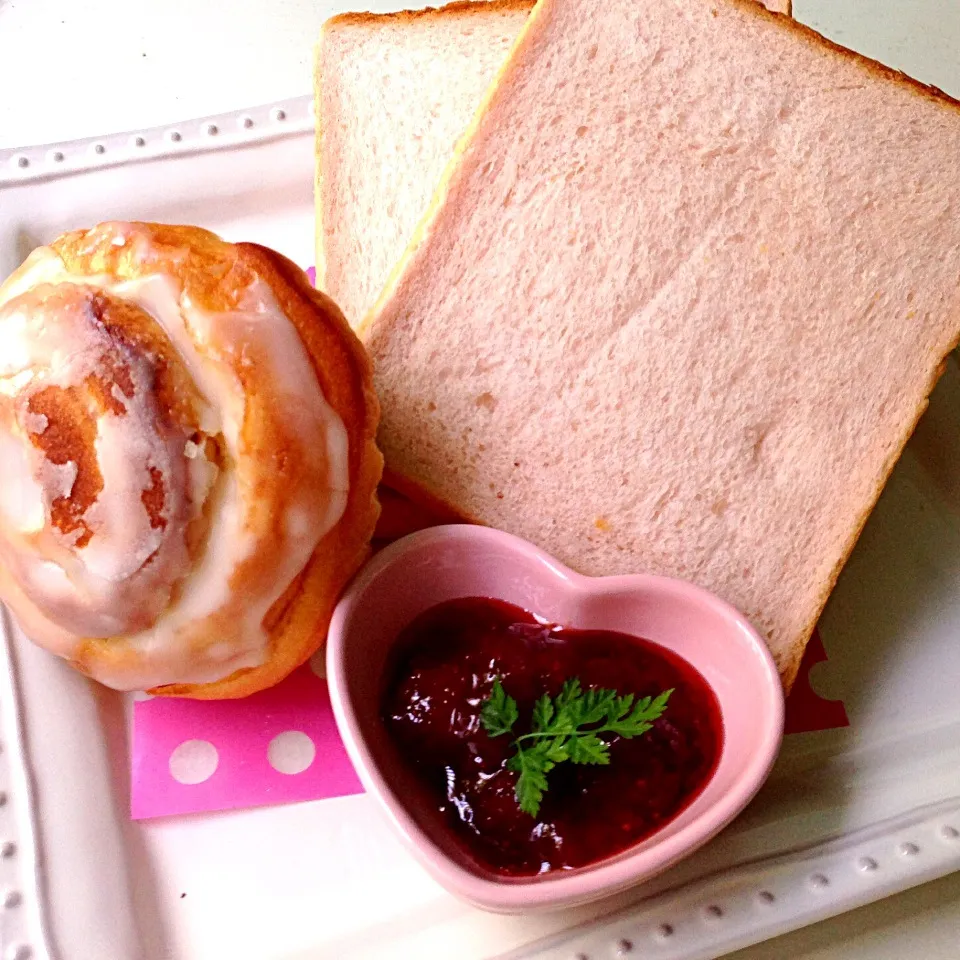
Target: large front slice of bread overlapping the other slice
692, 347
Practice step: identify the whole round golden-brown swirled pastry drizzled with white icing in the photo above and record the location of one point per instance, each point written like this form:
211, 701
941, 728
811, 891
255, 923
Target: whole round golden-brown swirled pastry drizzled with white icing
189, 470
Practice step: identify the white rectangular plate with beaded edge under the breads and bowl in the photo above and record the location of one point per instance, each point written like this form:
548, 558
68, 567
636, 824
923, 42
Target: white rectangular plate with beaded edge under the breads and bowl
847, 817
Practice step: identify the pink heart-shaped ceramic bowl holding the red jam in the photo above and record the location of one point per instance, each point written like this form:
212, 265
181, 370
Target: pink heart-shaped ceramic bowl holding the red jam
452, 562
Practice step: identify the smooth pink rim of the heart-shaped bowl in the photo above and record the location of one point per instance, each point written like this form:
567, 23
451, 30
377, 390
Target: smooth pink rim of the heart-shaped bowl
607, 876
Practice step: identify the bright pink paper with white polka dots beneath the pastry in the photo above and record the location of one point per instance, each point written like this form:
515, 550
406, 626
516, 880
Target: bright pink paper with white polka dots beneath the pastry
278, 746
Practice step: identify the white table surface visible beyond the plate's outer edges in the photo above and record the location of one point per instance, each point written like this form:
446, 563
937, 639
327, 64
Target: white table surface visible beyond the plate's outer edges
77, 68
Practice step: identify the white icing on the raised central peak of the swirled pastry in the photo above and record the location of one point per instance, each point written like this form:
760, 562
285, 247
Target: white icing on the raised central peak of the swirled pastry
98, 588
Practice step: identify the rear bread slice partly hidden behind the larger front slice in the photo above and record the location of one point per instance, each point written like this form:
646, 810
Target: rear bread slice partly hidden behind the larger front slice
395, 92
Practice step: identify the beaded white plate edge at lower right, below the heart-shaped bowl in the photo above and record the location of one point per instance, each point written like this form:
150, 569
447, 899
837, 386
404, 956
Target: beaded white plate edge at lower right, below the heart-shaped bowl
757, 901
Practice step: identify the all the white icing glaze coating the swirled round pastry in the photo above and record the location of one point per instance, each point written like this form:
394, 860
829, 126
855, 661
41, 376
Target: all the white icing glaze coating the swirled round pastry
174, 643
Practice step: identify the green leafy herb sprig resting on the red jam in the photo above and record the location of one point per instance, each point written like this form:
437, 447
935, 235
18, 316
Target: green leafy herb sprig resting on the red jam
566, 727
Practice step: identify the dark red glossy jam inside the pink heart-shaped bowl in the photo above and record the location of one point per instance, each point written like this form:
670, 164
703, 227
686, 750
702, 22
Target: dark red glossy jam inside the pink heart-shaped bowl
446, 663
